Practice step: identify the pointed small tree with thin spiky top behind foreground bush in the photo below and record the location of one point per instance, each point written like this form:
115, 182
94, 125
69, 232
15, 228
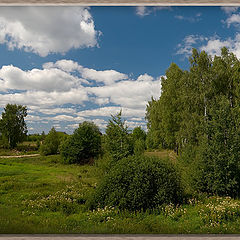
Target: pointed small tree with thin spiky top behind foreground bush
118, 141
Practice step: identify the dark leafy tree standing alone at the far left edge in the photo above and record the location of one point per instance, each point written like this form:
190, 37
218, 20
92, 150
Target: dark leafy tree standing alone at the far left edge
12, 124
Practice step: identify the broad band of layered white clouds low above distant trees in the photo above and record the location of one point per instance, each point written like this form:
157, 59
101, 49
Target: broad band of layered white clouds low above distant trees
57, 93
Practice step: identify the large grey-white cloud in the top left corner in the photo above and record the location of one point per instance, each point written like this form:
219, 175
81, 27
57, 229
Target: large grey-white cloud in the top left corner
45, 30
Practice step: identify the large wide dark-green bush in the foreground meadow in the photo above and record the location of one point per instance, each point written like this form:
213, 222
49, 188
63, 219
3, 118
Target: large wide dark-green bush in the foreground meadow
138, 183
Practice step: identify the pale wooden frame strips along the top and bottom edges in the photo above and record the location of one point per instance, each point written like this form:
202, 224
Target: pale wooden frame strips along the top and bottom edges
118, 3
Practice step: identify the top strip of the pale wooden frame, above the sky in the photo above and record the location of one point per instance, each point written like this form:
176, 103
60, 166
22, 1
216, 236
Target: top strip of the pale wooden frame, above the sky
122, 2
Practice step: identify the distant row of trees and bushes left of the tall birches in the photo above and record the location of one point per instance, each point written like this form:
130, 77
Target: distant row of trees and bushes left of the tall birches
82, 146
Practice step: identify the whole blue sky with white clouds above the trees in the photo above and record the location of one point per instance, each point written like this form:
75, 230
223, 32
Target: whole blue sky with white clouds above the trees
75, 64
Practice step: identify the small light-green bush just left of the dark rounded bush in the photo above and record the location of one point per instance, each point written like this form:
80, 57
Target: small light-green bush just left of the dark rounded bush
50, 144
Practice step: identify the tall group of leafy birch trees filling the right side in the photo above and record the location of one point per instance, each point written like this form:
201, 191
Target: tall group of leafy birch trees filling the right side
198, 115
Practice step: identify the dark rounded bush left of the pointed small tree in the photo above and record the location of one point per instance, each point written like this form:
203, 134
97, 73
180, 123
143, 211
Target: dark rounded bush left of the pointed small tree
83, 145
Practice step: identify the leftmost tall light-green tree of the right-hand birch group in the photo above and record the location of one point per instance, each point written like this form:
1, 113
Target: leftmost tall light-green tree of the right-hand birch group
164, 115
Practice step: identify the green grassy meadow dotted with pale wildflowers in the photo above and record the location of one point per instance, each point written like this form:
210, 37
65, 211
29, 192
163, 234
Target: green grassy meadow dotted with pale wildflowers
41, 195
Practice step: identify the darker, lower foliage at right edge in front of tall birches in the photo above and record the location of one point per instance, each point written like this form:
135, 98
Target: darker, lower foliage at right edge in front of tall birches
218, 153
